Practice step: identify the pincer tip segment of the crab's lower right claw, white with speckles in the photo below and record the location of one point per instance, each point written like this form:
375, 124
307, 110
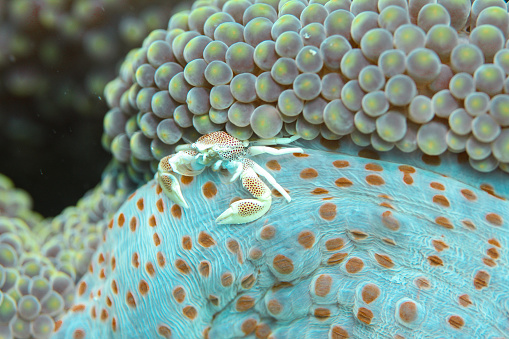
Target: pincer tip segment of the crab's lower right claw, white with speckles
244, 211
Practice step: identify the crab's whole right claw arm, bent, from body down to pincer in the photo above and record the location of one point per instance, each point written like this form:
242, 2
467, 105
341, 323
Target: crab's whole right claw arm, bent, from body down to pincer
247, 210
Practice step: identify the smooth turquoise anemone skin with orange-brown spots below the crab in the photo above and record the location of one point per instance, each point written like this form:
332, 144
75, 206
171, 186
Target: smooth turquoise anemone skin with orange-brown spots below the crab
366, 249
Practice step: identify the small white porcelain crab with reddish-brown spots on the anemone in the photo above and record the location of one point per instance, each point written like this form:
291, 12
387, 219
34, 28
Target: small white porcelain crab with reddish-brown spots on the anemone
220, 150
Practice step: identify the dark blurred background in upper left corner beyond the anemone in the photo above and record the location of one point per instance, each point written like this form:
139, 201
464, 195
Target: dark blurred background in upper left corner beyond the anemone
51, 89
